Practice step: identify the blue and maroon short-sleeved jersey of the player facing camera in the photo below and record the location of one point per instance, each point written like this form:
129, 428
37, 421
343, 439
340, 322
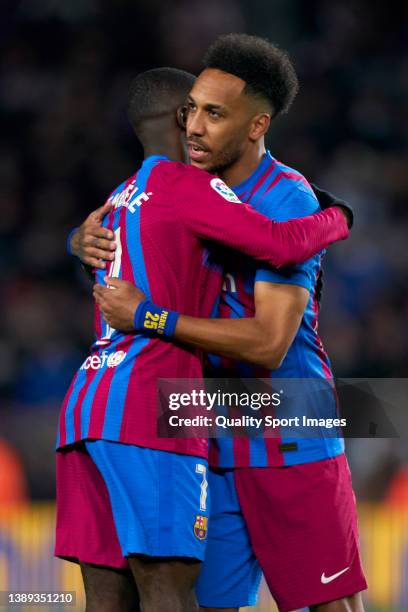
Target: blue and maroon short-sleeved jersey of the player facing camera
280, 193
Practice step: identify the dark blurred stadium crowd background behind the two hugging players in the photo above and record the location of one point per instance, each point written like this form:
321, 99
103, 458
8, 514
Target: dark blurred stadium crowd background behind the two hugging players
64, 72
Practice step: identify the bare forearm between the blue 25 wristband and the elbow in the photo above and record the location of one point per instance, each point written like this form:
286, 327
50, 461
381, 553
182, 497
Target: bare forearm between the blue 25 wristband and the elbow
241, 339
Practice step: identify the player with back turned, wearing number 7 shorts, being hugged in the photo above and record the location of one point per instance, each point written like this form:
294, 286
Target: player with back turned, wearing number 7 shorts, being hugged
123, 494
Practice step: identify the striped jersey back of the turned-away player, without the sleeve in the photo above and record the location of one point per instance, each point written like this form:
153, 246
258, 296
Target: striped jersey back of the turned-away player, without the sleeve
114, 394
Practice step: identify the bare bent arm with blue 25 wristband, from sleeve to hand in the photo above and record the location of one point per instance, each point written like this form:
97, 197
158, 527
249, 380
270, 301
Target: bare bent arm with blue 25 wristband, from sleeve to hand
263, 339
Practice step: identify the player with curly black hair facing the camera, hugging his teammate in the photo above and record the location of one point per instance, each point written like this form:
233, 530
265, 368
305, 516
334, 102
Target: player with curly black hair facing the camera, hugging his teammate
282, 505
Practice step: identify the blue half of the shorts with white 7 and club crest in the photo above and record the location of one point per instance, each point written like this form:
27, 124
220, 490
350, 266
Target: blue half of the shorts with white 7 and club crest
159, 499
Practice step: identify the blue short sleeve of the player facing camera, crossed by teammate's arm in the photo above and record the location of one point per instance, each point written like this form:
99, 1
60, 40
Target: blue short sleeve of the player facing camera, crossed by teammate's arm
303, 274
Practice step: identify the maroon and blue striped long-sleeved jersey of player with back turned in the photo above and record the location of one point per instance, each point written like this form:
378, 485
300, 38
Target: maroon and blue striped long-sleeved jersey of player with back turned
161, 218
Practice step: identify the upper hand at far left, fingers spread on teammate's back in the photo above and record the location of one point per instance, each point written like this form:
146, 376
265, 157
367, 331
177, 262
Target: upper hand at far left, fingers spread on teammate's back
92, 243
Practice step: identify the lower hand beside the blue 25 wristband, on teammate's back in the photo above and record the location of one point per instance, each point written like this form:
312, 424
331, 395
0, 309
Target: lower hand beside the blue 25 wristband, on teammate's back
118, 302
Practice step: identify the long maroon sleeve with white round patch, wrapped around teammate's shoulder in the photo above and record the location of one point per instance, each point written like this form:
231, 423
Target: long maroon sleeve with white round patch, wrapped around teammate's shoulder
211, 210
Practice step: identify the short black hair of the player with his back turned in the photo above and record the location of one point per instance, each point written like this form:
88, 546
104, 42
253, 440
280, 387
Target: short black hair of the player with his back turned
157, 92
